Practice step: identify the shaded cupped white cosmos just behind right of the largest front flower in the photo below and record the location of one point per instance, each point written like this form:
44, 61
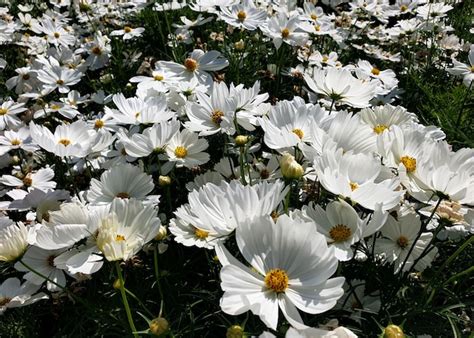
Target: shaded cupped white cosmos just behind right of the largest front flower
342, 226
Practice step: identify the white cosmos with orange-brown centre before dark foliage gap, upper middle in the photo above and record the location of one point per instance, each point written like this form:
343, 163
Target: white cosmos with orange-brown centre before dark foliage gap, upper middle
197, 66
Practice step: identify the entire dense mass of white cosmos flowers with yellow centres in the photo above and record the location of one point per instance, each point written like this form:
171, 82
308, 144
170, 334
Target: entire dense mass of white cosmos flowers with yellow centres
337, 173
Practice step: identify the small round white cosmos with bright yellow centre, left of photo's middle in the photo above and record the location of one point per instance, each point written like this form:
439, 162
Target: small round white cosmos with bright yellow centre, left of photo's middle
187, 149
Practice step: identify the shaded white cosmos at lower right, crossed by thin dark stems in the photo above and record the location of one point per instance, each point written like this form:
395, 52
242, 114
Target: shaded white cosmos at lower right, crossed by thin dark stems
399, 236
